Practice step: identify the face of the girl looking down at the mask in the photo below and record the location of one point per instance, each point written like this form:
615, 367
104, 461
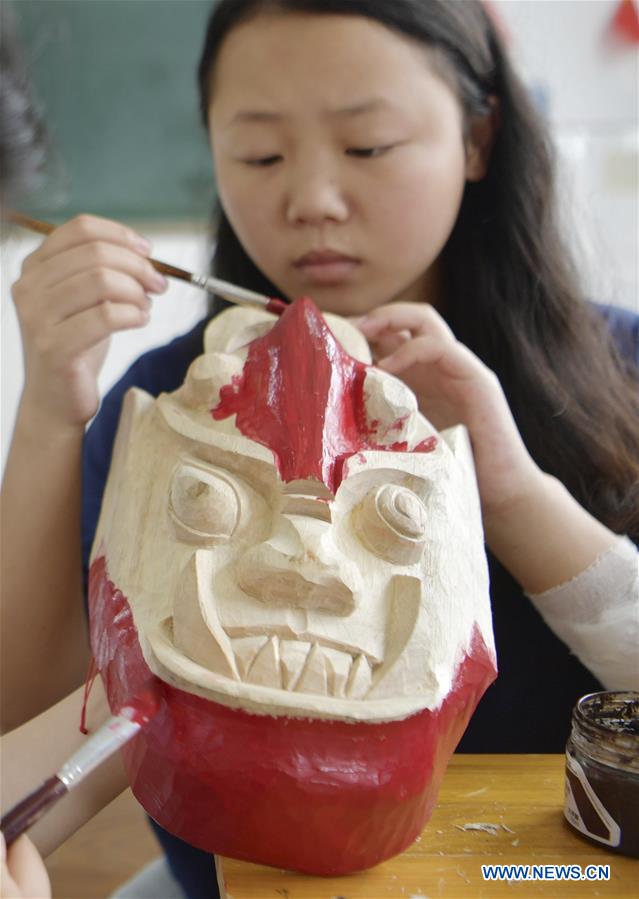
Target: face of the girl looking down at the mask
340, 157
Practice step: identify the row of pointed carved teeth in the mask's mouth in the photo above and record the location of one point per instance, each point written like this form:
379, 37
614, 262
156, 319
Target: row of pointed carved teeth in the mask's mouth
302, 666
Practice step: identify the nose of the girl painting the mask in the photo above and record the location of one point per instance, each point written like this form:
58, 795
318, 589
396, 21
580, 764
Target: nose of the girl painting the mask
314, 198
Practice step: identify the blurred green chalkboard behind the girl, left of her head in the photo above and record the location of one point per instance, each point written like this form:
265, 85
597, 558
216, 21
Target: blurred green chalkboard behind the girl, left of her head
117, 85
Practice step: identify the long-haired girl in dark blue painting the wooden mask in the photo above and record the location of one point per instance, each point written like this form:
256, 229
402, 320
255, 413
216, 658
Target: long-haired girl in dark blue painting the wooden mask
384, 159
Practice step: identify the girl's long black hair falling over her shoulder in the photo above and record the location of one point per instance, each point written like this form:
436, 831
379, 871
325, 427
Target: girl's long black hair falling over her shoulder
511, 292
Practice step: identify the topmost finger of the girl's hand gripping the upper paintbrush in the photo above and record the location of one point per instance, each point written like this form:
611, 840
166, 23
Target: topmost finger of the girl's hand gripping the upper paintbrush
87, 229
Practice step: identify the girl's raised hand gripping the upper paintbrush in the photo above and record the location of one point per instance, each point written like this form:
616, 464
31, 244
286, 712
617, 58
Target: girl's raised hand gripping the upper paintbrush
86, 281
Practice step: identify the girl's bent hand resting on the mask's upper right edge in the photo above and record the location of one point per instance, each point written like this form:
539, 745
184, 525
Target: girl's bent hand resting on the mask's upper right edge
453, 386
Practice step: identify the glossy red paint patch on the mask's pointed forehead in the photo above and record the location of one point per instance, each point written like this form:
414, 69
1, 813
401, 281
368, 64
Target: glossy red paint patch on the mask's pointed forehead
301, 395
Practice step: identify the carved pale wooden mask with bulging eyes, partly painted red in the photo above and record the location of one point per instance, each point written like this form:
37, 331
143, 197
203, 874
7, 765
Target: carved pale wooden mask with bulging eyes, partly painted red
293, 539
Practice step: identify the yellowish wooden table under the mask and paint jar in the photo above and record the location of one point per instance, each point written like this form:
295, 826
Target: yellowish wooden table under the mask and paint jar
521, 794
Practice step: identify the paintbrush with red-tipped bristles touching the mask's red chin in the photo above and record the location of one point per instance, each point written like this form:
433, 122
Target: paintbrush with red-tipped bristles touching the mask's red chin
108, 739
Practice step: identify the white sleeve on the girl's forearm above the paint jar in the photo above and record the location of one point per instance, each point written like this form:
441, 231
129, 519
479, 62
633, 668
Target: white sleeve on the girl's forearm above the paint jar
596, 614
